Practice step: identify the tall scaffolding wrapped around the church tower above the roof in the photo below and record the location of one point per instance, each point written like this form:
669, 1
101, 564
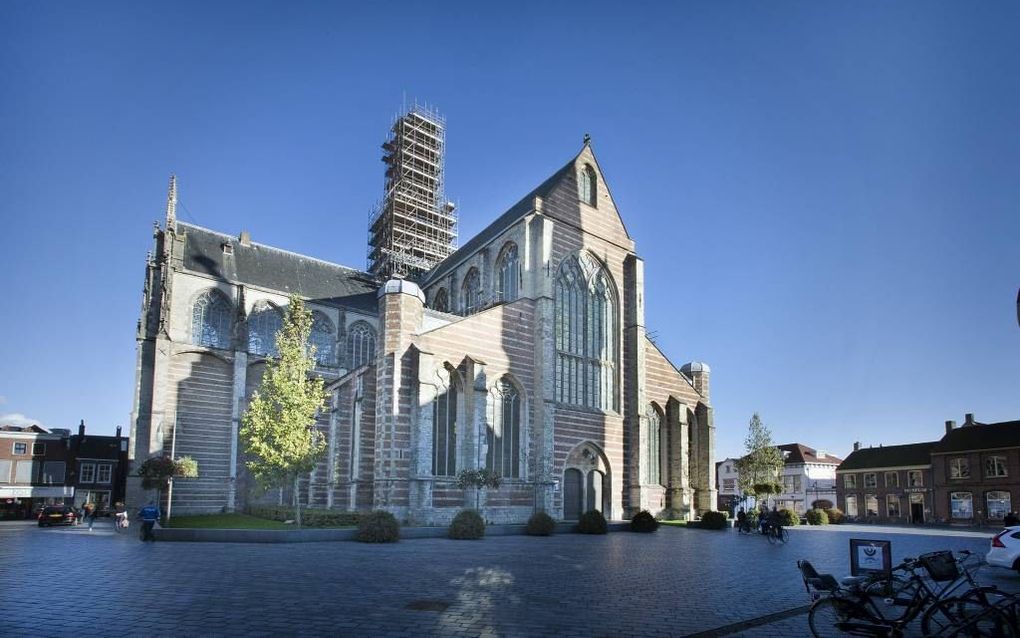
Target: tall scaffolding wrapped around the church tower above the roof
415, 227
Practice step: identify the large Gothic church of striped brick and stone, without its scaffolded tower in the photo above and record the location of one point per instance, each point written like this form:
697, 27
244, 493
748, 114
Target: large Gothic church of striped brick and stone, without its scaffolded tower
524, 353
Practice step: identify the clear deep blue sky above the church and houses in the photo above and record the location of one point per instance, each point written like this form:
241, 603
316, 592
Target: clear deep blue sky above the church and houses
826, 194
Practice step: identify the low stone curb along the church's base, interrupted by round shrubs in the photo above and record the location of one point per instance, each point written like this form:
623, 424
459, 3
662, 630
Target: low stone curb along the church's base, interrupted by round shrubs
345, 534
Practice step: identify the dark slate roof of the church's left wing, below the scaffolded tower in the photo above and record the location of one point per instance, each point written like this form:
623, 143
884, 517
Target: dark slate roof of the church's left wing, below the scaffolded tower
266, 267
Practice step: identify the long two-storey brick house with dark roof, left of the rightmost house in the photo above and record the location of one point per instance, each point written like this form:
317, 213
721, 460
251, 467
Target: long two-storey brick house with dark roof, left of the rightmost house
889, 484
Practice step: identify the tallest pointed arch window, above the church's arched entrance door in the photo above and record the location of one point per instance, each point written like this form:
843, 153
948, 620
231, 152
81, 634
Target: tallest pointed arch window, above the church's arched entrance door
585, 330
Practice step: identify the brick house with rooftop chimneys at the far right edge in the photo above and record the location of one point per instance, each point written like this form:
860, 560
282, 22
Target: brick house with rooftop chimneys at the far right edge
977, 470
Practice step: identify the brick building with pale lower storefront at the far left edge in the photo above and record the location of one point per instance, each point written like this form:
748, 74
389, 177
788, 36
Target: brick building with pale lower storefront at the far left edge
35, 463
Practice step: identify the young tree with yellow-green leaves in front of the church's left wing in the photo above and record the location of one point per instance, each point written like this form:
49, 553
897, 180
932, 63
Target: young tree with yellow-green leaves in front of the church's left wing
278, 430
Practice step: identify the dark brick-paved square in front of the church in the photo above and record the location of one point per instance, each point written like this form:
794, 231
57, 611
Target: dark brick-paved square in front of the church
65, 581
